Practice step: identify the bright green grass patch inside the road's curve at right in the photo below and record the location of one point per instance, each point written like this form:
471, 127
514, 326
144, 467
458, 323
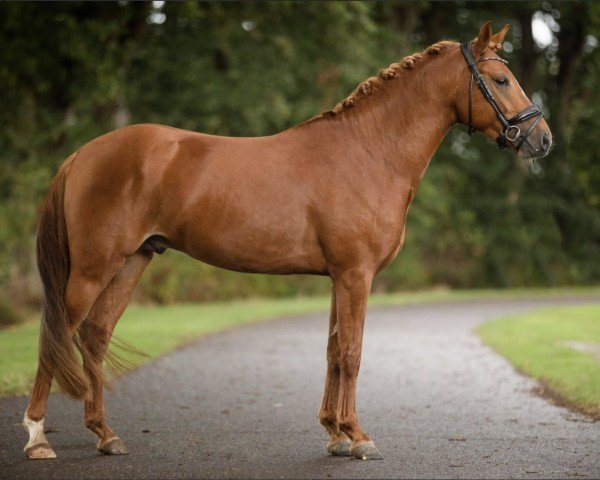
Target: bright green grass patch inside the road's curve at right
536, 343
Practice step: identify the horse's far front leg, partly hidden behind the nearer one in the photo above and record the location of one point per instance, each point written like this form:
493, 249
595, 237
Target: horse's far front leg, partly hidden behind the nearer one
339, 443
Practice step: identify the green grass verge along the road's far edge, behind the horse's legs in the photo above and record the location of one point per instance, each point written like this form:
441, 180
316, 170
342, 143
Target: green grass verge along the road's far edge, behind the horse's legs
158, 329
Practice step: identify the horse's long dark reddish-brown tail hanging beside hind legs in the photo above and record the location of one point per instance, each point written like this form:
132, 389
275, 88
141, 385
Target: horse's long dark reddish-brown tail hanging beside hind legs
57, 357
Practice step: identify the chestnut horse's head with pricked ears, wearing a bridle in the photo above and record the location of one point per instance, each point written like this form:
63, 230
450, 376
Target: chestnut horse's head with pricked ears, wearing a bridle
494, 102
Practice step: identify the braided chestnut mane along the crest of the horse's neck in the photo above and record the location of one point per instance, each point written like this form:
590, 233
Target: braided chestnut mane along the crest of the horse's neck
371, 85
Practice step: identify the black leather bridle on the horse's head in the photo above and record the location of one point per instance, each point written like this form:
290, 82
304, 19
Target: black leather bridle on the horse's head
510, 133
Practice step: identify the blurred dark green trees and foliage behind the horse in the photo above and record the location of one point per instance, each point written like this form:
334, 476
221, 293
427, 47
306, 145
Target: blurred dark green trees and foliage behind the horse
79, 69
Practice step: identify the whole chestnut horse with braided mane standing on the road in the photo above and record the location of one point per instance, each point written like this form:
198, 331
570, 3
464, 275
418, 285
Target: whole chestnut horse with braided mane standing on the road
326, 197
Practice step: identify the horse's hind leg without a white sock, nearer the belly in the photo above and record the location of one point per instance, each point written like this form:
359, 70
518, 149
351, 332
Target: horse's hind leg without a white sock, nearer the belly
95, 336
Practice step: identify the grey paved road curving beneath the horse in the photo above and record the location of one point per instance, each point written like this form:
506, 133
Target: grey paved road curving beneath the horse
243, 404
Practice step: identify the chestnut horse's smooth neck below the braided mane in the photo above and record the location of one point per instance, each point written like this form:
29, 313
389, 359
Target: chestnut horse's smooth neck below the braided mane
402, 125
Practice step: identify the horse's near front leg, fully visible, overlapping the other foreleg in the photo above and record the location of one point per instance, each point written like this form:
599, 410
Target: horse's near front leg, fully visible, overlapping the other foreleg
352, 289
